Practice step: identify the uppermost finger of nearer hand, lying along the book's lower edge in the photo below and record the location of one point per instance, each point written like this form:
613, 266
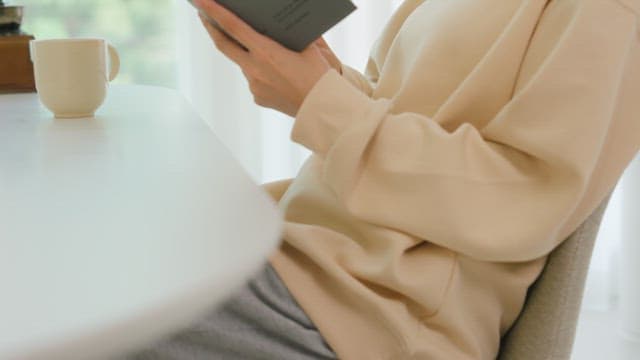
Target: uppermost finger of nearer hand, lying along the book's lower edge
232, 24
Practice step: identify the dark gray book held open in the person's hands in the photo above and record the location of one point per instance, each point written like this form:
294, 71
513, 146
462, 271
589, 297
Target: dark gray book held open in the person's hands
293, 23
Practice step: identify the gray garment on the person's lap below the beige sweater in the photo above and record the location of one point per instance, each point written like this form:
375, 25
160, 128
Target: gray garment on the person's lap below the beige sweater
261, 321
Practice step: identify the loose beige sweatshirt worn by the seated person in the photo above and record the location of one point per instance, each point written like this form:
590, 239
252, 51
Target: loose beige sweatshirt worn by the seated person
483, 134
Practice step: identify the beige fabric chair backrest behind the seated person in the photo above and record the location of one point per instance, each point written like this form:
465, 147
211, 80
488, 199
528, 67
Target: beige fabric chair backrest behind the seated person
546, 326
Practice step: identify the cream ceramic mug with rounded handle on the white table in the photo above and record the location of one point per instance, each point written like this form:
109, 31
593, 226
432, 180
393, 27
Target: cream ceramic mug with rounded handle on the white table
72, 75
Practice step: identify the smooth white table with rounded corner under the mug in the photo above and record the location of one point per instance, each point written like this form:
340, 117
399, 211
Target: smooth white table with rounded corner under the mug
121, 228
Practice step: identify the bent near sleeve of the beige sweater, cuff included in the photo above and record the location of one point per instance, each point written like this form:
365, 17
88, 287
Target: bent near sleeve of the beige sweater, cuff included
498, 193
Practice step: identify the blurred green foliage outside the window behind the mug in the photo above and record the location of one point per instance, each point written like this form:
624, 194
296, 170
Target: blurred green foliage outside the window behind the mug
143, 31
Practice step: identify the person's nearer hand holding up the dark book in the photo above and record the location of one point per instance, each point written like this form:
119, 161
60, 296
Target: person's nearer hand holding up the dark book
278, 77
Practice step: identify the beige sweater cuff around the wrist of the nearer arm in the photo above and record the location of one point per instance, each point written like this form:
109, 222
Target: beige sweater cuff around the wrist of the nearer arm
331, 106
